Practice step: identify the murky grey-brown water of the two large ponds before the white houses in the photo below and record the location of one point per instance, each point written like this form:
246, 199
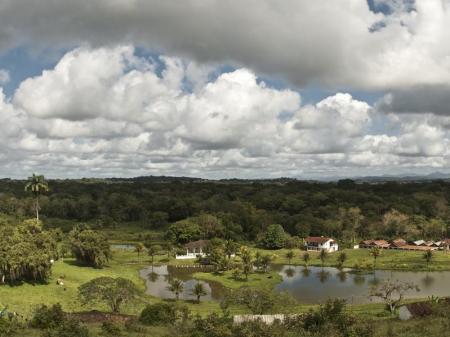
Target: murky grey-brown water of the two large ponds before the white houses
311, 285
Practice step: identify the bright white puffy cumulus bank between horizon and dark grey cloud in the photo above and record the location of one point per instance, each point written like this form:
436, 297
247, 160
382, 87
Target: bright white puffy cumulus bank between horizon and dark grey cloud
107, 111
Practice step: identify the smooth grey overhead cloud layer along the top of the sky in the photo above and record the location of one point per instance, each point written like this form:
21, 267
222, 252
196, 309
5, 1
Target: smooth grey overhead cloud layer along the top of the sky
333, 43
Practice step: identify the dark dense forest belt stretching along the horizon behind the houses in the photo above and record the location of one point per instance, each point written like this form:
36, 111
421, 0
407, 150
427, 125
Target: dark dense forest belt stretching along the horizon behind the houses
342, 209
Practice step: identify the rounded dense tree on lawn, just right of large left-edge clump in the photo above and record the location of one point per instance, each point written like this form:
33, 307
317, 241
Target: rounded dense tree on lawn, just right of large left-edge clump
89, 247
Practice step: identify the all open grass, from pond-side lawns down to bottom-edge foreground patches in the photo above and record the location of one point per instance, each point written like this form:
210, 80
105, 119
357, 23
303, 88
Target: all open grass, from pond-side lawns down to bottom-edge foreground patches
24, 298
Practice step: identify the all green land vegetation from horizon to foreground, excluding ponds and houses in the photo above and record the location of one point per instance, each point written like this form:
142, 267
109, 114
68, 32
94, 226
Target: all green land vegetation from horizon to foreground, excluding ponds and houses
56, 272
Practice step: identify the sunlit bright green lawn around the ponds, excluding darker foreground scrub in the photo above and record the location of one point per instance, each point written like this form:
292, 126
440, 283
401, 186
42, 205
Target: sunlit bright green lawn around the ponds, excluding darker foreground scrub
127, 264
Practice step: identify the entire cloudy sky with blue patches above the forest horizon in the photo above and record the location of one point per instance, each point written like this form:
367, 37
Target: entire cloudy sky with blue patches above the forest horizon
224, 89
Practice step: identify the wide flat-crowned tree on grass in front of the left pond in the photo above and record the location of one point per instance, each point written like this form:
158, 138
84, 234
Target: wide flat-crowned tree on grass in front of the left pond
112, 291
